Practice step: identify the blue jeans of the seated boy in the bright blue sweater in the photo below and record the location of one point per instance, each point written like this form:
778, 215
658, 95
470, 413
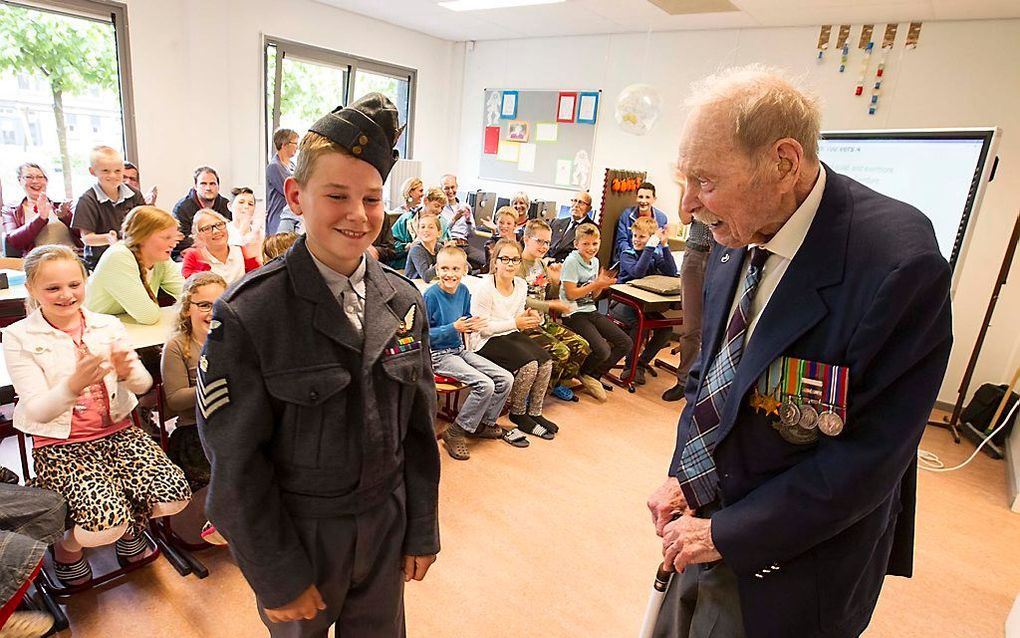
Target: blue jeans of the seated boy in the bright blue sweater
489, 385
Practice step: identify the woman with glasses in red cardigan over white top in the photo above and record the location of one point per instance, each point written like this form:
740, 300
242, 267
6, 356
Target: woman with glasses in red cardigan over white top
213, 253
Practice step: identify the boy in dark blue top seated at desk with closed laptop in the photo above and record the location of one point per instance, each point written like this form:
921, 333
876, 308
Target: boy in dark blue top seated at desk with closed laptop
649, 255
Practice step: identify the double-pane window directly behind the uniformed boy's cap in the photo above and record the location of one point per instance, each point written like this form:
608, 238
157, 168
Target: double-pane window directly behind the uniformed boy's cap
303, 82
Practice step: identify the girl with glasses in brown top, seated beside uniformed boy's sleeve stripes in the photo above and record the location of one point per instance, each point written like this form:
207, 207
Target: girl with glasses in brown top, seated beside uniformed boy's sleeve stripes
179, 368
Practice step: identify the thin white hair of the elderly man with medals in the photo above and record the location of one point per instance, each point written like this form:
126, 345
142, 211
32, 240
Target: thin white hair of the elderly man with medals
764, 106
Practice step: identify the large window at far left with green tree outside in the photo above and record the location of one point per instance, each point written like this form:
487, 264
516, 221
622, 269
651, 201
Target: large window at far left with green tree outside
57, 126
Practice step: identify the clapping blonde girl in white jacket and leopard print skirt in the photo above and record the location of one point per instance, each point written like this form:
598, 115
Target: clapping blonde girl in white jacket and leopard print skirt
77, 378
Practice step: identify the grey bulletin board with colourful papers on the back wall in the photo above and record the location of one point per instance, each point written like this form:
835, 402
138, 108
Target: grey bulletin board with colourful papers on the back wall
540, 138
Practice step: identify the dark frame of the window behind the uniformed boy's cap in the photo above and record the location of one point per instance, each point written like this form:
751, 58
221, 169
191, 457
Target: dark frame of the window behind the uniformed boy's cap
339, 60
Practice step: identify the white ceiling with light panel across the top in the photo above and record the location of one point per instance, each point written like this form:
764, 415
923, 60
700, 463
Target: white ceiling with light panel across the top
616, 17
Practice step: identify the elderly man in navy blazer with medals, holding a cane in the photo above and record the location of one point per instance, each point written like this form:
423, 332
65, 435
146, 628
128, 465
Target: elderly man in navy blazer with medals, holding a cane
827, 332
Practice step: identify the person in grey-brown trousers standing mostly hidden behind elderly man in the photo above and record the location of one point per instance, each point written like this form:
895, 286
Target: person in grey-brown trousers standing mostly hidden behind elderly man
699, 244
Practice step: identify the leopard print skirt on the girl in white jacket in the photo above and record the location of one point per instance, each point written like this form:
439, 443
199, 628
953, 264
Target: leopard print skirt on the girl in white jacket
111, 481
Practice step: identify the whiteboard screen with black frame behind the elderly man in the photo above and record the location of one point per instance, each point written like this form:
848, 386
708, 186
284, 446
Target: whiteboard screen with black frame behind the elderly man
941, 172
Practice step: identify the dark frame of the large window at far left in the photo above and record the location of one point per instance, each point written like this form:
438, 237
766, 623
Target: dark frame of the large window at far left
116, 14
